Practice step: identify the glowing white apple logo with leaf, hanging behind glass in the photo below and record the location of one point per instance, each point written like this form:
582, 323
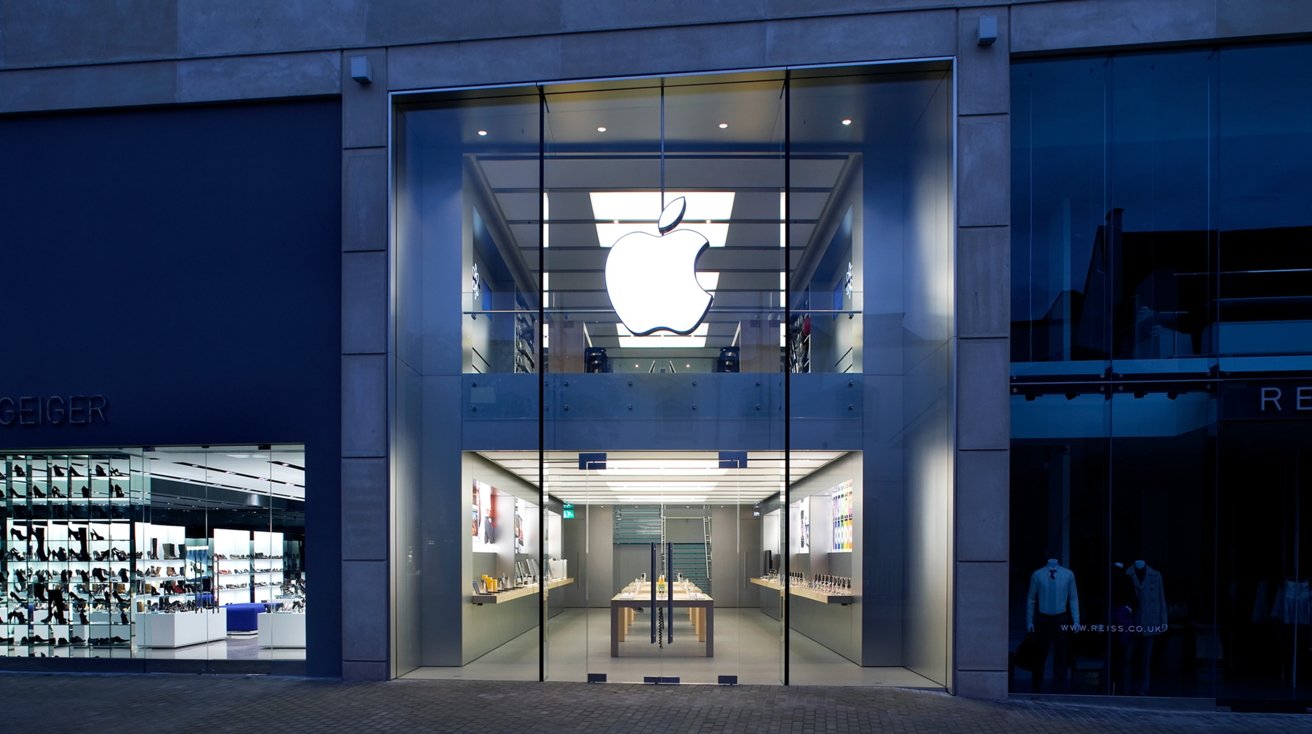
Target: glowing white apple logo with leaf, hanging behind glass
653, 280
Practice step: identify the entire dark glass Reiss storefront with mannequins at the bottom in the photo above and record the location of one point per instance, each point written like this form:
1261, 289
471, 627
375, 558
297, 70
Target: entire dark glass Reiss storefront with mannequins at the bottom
1160, 342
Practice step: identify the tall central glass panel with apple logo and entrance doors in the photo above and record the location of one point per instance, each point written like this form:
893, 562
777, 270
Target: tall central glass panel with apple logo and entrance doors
665, 309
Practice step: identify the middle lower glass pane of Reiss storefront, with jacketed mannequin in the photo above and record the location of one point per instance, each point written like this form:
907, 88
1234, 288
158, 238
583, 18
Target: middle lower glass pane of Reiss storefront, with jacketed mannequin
1159, 595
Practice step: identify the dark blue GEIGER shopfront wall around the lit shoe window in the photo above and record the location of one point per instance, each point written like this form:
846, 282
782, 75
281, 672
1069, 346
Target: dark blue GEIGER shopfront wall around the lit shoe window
173, 278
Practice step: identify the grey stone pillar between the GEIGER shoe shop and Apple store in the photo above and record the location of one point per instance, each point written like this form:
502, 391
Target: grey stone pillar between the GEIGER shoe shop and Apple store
365, 500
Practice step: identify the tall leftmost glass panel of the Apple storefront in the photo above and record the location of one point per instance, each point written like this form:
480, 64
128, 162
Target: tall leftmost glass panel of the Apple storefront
468, 223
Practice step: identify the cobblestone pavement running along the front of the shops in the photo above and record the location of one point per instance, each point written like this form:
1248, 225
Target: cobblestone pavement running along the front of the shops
192, 703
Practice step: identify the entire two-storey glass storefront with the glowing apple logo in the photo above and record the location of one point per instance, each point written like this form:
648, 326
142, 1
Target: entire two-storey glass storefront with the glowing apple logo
697, 426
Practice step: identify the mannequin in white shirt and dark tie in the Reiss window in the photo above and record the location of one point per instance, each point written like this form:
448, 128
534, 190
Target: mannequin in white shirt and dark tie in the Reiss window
1053, 615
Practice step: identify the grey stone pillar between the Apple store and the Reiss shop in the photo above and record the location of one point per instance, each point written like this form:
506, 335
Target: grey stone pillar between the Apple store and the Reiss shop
983, 356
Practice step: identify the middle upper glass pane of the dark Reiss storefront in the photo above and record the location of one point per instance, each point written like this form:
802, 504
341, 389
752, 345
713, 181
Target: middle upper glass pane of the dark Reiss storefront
1158, 241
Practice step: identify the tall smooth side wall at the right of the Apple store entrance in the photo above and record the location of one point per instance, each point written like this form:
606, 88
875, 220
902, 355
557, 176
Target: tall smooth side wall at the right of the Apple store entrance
909, 332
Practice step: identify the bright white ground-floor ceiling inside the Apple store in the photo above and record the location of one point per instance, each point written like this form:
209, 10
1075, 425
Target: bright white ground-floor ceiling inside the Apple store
662, 477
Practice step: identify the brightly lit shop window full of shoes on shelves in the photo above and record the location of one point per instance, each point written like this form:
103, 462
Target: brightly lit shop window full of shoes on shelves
175, 557
